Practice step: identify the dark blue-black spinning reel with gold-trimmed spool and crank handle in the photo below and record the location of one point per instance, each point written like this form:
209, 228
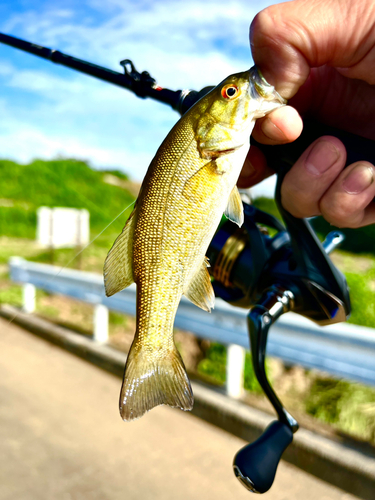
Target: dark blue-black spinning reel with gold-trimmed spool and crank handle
290, 271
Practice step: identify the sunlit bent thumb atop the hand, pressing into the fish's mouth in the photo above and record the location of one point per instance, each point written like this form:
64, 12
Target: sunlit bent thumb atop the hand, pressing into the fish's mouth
290, 38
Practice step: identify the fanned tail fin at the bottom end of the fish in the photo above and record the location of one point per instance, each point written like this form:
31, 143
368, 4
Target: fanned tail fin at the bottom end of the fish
151, 379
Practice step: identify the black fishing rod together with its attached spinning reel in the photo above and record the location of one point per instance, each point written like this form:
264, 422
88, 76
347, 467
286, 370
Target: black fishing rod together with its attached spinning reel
269, 275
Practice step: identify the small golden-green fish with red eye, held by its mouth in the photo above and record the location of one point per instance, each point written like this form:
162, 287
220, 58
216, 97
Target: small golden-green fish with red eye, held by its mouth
189, 184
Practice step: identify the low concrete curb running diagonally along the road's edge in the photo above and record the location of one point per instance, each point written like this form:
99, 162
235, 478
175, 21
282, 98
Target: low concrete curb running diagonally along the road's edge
334, 462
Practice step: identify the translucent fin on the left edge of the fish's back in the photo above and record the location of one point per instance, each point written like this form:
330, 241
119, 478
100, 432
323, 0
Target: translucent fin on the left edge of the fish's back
118, 266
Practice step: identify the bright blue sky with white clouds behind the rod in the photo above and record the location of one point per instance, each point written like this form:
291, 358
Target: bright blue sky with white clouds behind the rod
50, 111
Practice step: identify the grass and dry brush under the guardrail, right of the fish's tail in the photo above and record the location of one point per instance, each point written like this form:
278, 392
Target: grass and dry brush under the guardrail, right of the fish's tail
347, 406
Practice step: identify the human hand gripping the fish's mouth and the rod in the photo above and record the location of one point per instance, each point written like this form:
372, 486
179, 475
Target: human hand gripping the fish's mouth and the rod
335, 38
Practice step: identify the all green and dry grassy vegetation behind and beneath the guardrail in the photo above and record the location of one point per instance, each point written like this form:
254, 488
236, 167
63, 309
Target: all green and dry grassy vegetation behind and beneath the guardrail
348, 407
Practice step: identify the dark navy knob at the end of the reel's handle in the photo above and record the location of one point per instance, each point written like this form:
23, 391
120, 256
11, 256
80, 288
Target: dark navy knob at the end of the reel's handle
255, 465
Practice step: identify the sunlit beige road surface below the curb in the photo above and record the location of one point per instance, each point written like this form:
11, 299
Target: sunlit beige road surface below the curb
62, 438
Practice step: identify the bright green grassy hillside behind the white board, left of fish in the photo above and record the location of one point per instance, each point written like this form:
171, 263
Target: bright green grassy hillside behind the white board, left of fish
57, 183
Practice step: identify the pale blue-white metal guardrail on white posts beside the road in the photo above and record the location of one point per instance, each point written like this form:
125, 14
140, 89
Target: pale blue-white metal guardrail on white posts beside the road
342, 350
